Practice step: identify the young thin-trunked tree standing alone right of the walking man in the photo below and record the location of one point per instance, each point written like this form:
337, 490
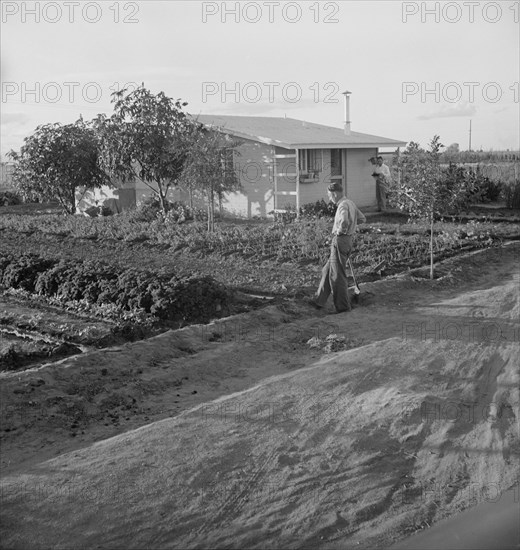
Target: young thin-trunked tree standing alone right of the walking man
424, 189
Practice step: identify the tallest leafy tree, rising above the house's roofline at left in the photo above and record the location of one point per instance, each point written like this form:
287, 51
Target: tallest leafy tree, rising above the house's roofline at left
146, 138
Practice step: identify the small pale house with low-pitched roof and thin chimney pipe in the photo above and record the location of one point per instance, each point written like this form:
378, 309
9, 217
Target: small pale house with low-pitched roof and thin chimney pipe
280, 162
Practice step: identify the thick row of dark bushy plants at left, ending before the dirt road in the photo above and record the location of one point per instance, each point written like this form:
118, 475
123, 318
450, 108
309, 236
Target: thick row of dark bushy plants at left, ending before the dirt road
187, 300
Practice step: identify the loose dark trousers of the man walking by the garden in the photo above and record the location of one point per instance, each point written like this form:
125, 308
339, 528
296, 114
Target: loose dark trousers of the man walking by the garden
334, 275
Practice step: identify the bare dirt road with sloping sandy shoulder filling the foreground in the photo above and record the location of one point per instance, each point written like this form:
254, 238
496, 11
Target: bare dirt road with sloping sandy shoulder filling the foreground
350, 449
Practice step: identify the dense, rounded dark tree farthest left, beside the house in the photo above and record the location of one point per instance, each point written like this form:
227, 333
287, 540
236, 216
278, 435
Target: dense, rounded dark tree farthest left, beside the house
57, 160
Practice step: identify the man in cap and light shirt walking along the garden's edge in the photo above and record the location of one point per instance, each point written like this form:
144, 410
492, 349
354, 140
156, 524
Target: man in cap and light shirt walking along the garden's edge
334, 274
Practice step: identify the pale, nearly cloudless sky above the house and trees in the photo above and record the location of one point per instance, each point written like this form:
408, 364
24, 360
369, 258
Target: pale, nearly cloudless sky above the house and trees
414, 69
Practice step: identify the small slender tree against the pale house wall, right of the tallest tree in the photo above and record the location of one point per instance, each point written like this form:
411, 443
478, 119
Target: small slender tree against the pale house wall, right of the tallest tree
209, 167
